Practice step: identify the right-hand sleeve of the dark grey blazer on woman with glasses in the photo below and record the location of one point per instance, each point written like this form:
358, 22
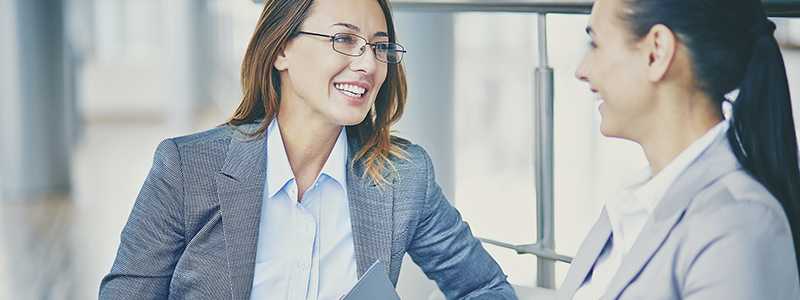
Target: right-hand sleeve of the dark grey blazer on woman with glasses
445, 249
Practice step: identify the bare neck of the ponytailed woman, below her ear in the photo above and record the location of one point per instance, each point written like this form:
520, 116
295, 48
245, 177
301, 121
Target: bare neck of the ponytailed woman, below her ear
683, 118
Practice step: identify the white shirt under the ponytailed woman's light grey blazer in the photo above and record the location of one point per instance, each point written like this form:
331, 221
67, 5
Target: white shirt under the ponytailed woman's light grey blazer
630, 210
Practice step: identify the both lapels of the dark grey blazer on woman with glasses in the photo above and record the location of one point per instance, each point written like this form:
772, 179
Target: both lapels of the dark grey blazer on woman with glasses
240, 188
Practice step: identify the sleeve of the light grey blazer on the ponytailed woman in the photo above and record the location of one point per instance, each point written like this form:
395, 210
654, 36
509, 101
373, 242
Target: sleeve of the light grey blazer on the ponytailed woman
742, 251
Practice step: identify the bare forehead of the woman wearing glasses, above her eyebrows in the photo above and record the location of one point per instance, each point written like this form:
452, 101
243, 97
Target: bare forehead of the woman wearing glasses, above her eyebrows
364, 14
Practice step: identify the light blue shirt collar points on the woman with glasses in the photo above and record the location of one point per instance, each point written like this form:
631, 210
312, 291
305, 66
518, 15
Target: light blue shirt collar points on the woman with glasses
279, 172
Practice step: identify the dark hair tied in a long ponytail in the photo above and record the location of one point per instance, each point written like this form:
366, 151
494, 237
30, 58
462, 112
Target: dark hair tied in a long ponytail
731, 45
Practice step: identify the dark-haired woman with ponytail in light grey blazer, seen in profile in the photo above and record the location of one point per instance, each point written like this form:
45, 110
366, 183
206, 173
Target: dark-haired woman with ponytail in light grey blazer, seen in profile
716, 216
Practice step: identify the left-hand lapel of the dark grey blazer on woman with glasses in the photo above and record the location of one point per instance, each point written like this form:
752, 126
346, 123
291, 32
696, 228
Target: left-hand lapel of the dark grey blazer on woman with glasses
240, 186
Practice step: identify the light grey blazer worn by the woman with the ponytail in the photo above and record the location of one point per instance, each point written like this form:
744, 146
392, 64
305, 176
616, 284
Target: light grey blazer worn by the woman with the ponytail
717, 234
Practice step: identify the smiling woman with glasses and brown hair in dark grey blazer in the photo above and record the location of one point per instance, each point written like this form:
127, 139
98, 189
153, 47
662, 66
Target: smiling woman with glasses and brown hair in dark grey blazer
304, 188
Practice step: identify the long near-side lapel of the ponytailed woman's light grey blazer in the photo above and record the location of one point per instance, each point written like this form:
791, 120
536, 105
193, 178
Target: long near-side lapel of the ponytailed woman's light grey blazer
712, 164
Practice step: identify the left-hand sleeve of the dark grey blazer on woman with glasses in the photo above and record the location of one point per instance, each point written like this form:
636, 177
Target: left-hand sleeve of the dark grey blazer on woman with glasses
153, 238
